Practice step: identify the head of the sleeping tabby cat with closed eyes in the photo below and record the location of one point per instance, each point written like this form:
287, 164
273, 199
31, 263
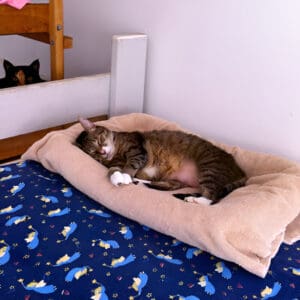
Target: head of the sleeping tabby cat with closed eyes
97, 141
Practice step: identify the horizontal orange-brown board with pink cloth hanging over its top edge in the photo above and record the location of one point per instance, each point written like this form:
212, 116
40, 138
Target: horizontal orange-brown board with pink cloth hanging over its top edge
31, 18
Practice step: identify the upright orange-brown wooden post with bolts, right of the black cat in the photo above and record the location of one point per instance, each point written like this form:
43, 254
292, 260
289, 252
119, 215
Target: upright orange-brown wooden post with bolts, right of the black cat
56, 34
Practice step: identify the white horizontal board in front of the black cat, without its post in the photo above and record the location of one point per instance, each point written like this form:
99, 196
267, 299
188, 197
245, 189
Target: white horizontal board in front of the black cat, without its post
33, 107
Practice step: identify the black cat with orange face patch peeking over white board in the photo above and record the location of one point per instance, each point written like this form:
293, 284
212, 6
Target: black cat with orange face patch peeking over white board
20, 75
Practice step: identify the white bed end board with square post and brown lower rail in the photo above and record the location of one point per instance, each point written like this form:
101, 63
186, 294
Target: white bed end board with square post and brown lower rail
29, 112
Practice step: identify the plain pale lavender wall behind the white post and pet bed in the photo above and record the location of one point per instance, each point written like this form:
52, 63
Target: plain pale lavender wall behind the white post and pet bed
229, 70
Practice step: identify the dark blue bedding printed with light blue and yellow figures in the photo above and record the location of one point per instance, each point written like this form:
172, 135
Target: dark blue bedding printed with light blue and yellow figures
57, 243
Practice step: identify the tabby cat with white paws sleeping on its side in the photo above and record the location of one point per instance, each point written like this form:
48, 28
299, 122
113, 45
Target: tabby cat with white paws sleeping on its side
168, 159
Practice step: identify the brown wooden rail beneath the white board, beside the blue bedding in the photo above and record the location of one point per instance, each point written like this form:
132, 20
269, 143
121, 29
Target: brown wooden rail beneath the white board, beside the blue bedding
14, 147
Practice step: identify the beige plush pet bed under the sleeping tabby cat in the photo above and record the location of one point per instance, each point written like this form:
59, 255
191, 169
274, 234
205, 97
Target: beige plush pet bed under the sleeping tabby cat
247, 227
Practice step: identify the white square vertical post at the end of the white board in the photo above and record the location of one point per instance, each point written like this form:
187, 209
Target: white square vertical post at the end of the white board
128, 70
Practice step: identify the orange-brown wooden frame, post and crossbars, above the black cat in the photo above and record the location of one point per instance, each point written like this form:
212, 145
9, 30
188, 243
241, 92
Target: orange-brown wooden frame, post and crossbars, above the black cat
42, 22
